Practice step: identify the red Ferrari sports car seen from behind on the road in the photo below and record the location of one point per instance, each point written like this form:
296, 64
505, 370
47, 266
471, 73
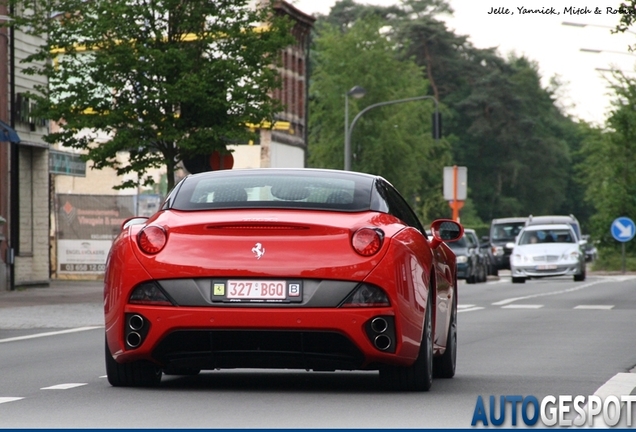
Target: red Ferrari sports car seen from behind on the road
282, 268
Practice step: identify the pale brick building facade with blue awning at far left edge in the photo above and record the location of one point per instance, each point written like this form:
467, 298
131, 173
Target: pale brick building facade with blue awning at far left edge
24, 173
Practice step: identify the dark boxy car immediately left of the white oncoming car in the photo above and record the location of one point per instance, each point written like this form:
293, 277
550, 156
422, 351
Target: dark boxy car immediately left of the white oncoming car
503, 232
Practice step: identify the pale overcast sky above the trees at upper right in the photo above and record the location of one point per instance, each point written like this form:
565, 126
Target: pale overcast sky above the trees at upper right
543, 38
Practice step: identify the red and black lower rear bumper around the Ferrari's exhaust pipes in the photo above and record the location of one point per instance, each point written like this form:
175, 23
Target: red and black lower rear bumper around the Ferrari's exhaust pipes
291, 338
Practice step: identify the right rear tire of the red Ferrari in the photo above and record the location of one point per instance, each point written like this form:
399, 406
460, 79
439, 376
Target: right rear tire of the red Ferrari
419, 376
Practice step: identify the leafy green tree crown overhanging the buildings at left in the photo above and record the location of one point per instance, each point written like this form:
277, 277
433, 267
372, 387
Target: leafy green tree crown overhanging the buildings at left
163, 80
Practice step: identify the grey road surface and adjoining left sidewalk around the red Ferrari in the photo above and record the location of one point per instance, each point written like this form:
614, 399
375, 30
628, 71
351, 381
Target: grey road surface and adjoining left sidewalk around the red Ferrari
544, 337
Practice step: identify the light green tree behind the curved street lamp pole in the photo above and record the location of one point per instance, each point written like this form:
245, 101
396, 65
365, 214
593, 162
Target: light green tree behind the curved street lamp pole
393, 141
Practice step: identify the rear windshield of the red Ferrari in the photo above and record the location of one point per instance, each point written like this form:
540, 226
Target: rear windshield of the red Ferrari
274, 191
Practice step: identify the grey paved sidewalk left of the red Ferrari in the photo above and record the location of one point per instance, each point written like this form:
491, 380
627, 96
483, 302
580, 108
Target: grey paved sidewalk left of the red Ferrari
63, 304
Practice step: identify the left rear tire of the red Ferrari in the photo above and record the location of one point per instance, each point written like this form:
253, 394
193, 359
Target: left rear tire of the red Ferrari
141, 373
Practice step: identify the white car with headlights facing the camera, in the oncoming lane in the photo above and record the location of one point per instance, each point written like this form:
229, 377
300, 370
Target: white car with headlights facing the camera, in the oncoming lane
545, 251
